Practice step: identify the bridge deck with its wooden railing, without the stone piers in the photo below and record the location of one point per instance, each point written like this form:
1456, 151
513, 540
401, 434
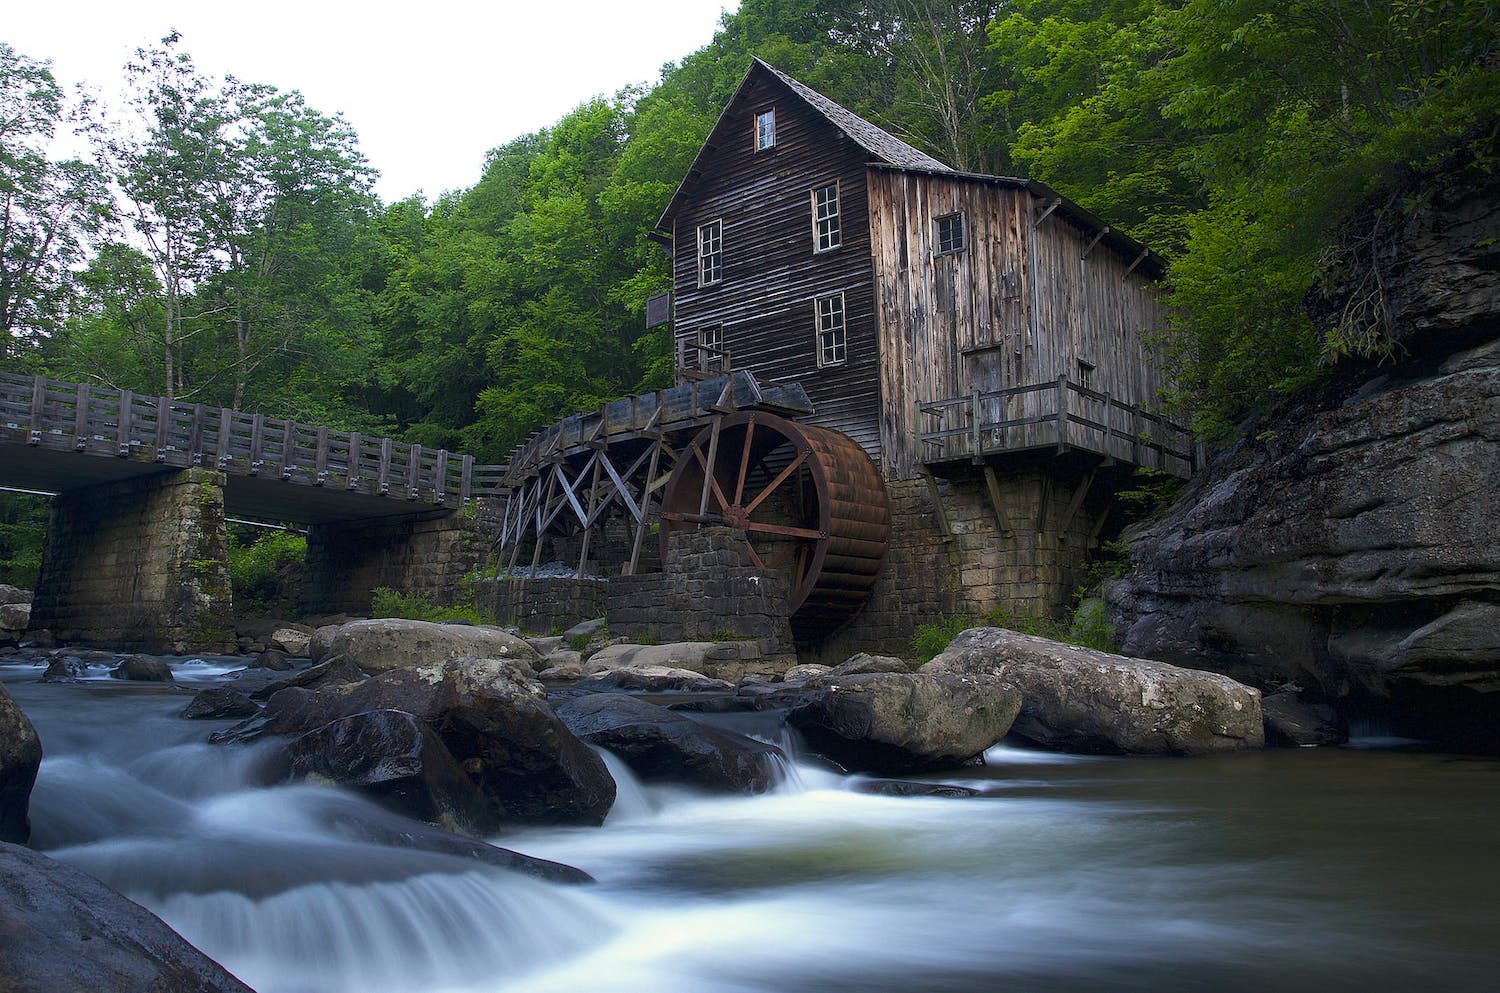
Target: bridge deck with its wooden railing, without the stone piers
56, 437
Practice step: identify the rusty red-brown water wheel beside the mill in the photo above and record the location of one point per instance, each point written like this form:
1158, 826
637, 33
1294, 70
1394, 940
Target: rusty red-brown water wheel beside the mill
809, 500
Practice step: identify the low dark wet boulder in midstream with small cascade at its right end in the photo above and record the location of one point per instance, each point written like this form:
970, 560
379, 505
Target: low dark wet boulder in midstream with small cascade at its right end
661, 745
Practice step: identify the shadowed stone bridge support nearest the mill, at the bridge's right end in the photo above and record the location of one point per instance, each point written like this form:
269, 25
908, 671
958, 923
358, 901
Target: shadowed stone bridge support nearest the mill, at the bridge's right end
422, 557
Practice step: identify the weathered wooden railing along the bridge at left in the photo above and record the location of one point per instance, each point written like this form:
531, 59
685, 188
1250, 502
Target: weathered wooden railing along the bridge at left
95, 421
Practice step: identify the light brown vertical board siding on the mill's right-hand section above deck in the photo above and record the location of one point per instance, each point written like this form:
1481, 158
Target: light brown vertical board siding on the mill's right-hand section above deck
1021, 305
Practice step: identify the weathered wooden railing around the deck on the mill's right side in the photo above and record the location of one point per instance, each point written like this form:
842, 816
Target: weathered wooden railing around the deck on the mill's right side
1061, 416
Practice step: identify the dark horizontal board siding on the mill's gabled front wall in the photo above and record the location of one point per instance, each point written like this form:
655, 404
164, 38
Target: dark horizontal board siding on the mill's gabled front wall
772, 275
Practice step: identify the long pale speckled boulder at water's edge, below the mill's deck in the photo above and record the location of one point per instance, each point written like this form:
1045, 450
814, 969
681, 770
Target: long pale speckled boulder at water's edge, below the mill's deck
1079, 700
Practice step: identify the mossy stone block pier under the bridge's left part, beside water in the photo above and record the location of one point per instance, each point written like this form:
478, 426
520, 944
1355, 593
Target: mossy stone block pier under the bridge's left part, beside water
140, 565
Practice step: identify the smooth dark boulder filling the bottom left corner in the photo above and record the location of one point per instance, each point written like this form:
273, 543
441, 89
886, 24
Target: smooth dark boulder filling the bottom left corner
67, 931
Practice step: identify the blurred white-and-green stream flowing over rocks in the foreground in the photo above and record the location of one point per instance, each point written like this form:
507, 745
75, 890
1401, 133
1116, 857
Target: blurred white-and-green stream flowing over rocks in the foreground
1367, 868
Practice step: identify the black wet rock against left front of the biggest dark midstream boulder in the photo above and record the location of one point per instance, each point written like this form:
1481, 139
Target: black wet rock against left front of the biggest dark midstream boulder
398, 761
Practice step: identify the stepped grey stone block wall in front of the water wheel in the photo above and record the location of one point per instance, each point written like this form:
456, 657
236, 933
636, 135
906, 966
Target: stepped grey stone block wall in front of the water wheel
707, 592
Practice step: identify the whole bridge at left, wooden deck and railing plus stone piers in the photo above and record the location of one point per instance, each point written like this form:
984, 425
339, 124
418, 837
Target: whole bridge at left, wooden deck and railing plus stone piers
137, 551
